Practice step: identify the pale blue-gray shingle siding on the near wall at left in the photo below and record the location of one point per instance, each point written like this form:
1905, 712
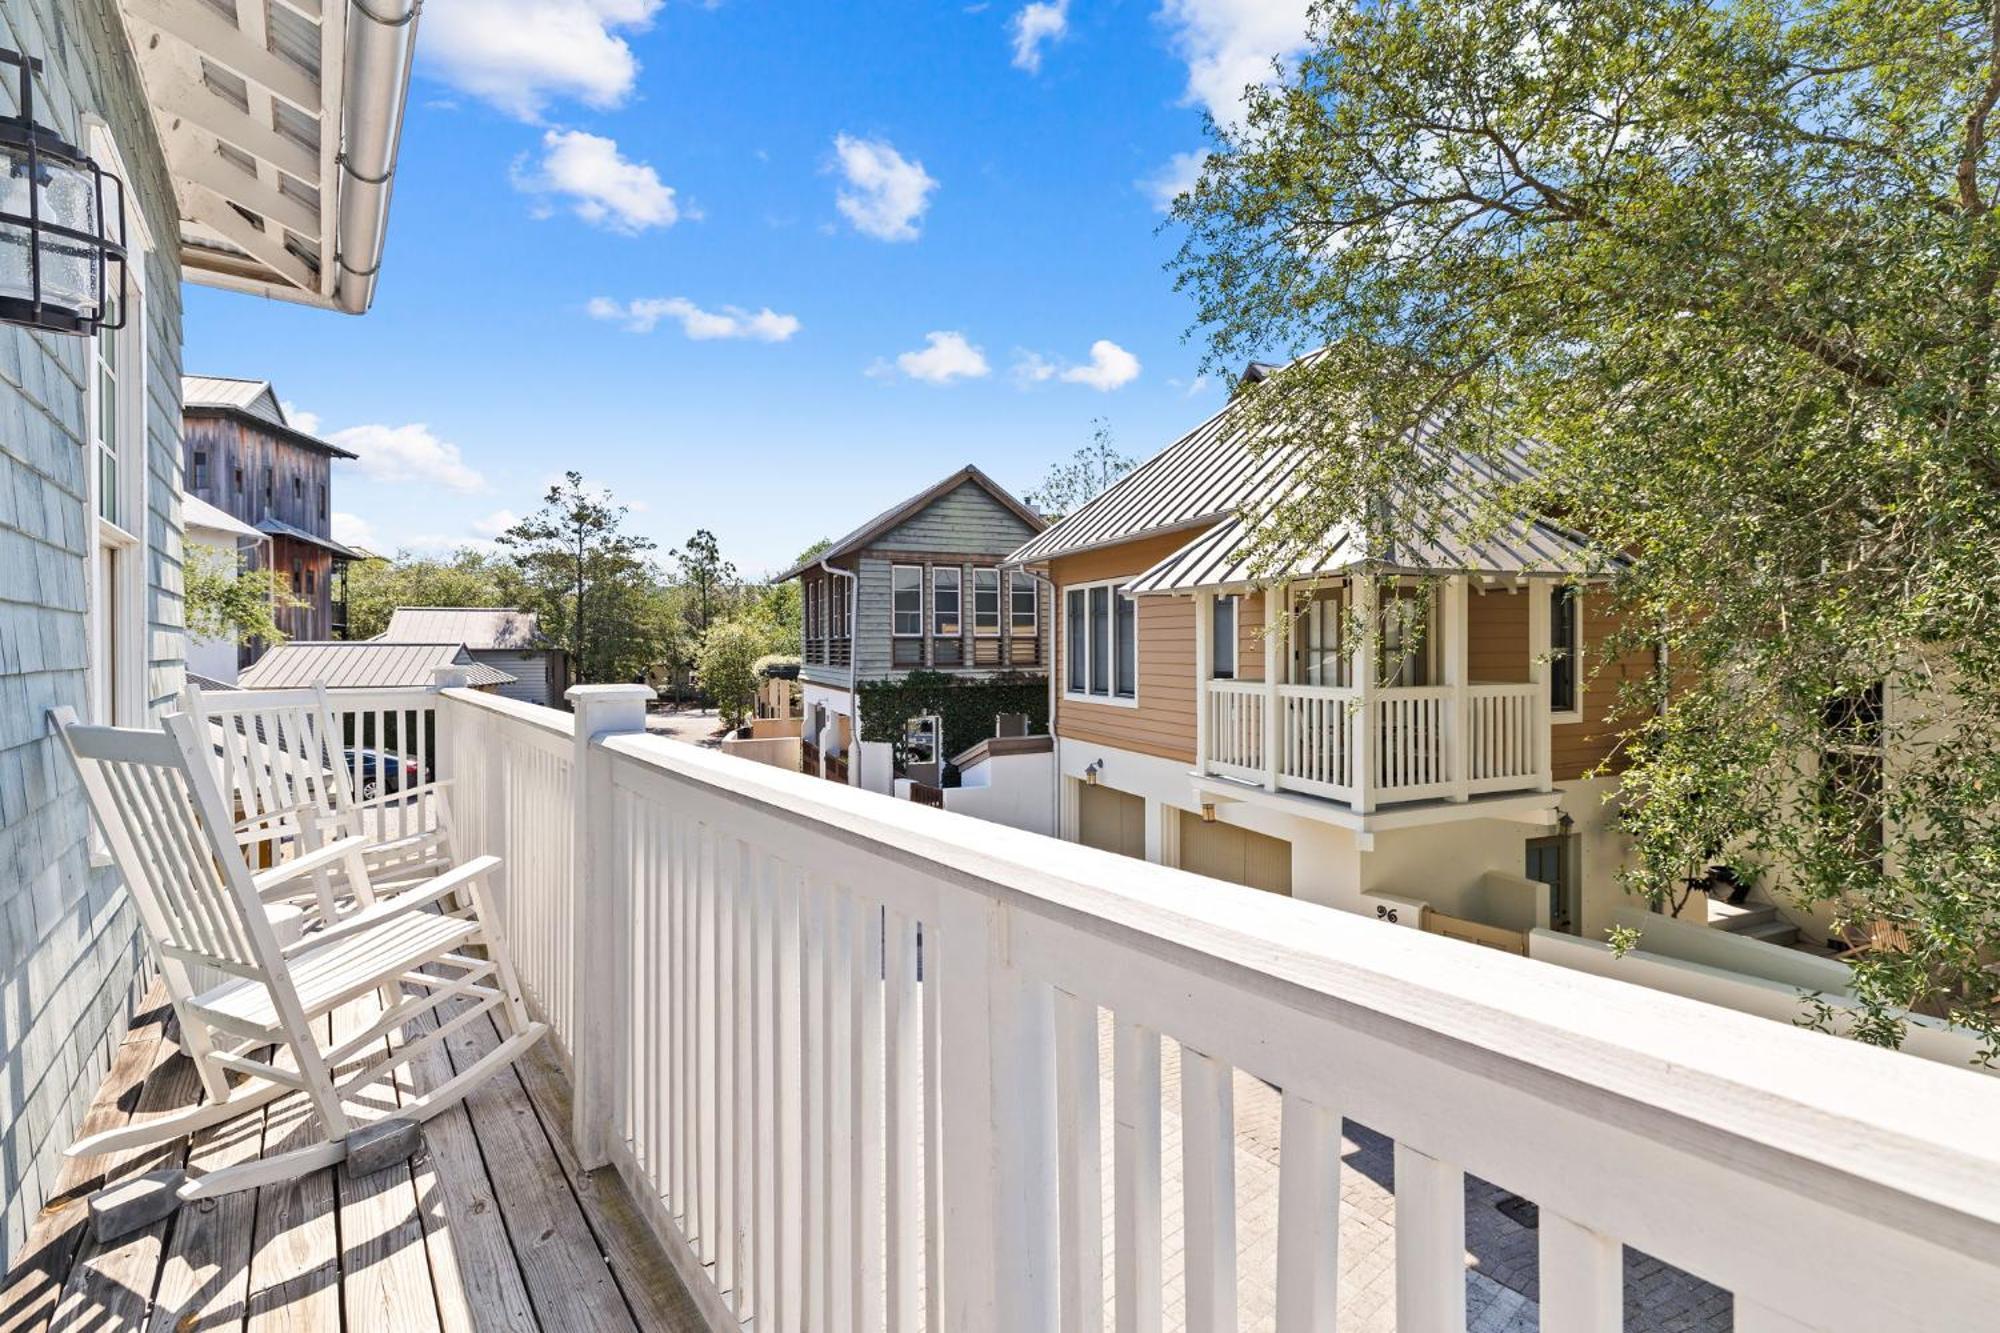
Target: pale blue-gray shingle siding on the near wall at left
69, 934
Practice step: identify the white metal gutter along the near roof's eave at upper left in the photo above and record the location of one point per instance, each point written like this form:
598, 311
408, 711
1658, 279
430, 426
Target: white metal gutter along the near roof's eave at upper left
381, 47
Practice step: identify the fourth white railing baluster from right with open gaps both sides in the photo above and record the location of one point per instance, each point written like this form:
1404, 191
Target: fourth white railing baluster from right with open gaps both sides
1209, 1190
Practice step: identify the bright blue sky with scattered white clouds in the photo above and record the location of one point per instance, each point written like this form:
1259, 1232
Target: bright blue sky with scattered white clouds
761, 267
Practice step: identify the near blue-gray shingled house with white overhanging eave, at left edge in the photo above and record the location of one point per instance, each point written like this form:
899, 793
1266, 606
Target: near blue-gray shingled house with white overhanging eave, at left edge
91, 459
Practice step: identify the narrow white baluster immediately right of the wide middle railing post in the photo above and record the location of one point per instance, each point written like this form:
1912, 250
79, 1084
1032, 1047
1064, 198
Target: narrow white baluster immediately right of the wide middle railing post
1081, 1166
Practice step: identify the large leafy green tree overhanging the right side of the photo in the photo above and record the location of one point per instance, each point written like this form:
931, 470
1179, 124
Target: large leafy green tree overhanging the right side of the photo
1733, 271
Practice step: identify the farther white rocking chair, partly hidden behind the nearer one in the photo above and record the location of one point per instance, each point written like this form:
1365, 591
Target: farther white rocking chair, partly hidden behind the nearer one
285, 768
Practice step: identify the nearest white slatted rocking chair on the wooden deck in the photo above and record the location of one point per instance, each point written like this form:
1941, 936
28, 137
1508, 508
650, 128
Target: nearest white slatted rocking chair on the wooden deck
171, 834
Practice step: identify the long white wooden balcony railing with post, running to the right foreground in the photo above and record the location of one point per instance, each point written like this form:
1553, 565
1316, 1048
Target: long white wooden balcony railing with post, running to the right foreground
845, 1050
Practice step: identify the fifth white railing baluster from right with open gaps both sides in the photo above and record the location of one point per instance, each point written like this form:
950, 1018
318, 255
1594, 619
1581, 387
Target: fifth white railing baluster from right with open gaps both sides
1137, 1186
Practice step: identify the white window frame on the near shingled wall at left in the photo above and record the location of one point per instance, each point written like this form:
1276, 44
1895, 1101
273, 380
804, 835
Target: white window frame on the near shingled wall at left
117, 613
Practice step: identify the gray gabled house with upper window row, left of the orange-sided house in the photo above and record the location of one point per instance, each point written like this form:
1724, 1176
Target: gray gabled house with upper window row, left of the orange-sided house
919, 587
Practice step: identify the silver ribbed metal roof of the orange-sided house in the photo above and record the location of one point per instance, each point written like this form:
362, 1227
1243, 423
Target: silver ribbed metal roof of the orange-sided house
1217, 479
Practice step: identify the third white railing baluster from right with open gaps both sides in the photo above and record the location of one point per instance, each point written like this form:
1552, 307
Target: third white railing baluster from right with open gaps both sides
1309, 1218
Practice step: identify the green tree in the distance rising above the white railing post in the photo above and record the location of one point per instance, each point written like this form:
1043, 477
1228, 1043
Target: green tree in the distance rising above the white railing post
589, 579
